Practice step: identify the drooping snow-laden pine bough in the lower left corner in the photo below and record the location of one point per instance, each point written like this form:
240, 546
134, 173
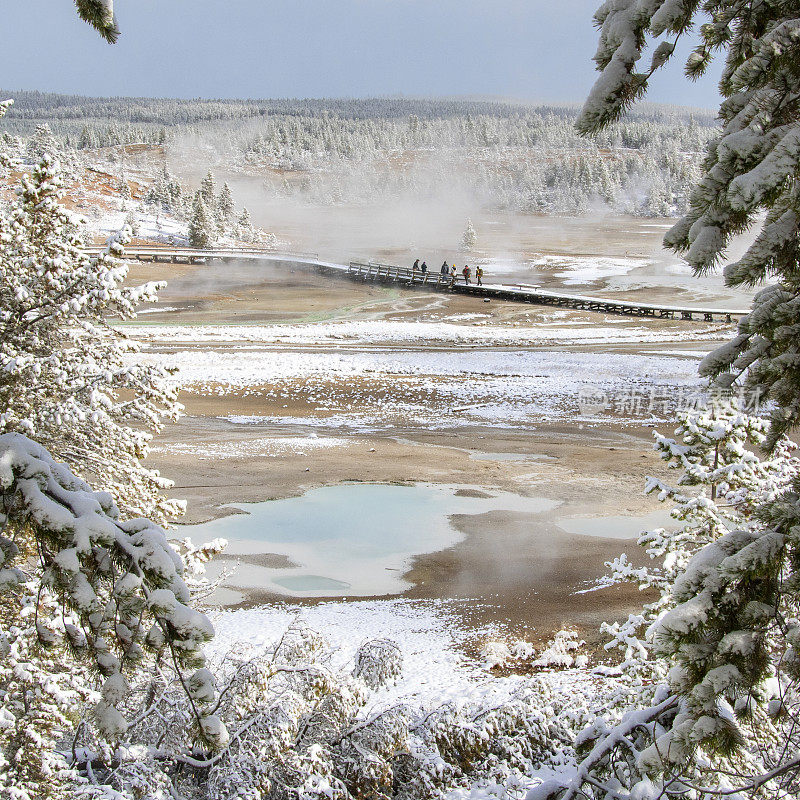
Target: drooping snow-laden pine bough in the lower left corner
120, 578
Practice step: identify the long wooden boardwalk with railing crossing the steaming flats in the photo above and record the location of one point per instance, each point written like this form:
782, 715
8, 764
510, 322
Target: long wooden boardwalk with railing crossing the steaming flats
430, 281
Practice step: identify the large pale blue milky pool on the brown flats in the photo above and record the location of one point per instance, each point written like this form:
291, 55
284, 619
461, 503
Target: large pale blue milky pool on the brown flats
351, 539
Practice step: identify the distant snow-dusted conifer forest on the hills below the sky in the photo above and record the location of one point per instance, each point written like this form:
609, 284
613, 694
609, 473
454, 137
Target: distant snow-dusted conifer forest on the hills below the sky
524, 158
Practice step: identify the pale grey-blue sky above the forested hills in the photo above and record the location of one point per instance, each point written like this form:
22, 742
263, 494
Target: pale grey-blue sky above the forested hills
530, 50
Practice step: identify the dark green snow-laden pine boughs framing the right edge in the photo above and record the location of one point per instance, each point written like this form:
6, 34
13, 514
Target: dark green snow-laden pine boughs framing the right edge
732, 633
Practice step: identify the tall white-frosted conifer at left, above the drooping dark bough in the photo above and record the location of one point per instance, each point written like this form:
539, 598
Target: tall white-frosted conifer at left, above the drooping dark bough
65, 378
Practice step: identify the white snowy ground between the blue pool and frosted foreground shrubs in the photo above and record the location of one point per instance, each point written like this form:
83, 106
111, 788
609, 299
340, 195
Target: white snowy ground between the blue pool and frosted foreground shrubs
436, 672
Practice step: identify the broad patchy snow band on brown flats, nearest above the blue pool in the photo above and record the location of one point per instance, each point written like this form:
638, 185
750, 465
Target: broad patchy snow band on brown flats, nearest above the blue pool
489, 386
